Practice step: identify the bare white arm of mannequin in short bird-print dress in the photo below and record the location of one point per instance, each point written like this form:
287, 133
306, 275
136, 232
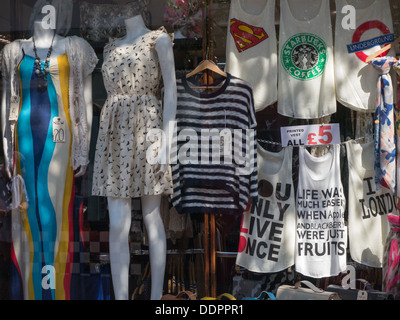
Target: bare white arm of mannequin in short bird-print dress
167, 65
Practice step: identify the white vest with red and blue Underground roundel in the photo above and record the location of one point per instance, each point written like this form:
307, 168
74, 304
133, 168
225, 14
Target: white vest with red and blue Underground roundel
355, 79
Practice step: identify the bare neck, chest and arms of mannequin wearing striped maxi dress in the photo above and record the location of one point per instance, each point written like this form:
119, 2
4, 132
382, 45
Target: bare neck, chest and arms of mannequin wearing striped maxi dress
43, 38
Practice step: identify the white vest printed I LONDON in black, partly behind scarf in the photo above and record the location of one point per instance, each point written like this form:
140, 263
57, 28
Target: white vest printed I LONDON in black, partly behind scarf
367, 208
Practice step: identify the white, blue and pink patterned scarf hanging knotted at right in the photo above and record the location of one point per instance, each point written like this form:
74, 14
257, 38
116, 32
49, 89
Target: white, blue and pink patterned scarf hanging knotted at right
385, 144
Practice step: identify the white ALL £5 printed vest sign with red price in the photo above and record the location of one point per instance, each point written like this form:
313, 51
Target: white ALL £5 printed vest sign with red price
319, 134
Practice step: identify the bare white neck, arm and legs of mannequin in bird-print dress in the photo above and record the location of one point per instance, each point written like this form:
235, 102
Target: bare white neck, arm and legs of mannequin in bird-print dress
120, 208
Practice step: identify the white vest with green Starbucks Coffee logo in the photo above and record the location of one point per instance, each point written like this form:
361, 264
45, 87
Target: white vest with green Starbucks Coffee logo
306, 79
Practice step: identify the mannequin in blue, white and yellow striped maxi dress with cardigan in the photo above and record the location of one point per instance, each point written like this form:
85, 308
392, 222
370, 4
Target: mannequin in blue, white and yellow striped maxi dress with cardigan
43, 232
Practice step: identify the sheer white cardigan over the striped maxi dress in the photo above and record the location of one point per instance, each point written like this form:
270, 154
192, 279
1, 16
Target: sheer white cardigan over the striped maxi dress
82, 60
